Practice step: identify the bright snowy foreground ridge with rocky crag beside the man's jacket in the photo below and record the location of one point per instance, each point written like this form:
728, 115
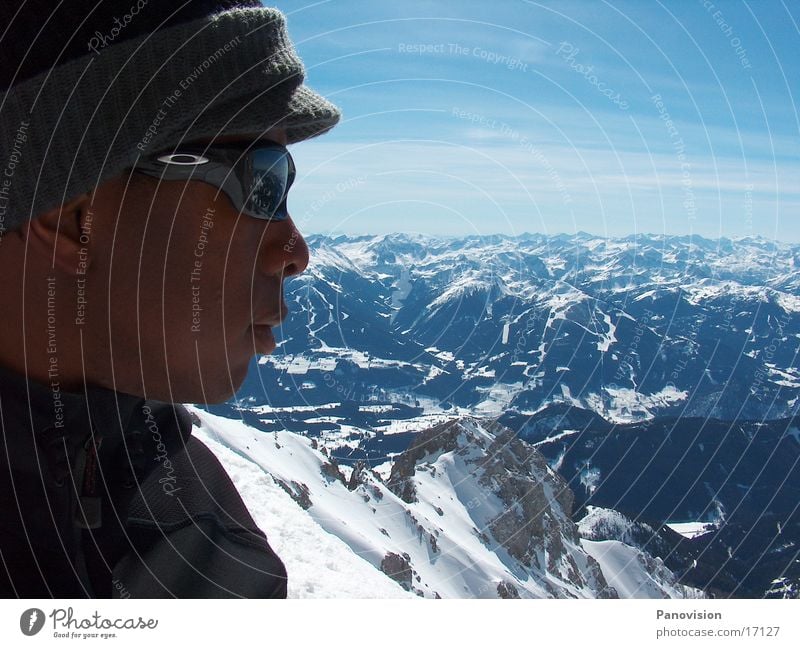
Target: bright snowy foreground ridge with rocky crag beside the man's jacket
468, 511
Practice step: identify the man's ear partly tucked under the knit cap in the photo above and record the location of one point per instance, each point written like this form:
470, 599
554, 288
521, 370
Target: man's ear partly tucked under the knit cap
57, 235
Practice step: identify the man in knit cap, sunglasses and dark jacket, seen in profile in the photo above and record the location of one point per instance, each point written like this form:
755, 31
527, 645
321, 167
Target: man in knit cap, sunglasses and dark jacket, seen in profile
144, 241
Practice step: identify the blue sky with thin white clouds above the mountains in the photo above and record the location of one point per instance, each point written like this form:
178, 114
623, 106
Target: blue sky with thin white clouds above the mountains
614, 118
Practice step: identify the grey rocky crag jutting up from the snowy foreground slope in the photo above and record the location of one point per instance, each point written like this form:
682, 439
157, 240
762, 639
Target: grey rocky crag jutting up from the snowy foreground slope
520, 508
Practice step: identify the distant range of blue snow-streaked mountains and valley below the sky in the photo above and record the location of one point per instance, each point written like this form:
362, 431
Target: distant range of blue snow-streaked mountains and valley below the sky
629, 328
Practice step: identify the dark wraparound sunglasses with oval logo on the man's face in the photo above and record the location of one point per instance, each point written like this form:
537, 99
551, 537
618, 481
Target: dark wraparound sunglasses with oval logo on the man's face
257, 179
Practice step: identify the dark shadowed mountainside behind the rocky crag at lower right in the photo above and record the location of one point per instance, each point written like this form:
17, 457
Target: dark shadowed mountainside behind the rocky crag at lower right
734, 484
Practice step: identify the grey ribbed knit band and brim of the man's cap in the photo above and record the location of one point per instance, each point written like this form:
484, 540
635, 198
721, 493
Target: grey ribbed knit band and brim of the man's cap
72, 127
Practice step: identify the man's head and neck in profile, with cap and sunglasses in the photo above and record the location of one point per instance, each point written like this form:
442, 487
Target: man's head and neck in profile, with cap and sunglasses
145, 235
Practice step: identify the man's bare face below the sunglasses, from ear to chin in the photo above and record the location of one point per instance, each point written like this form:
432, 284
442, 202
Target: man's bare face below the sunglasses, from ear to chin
191, 286
